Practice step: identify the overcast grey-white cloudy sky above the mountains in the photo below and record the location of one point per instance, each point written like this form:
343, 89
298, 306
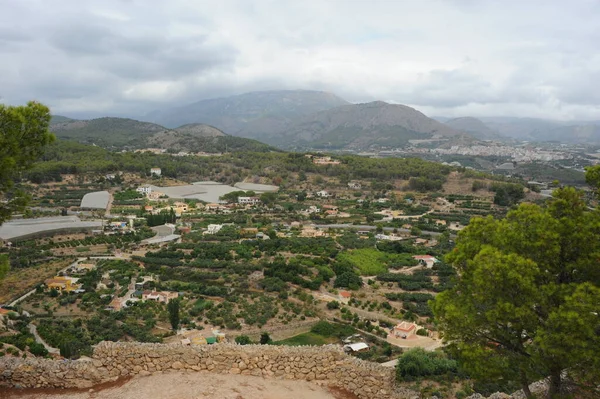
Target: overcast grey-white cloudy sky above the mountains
451, 57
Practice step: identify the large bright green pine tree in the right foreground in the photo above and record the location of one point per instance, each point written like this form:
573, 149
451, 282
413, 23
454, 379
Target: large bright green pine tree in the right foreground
523, 305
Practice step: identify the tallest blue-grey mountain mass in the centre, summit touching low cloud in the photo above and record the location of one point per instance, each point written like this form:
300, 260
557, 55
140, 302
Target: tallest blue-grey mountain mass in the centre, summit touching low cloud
301, 119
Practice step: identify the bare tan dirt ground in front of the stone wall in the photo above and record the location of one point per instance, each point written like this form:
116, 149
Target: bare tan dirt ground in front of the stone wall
195, 386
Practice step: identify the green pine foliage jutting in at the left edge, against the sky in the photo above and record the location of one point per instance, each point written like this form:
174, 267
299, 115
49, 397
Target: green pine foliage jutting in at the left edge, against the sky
23, 138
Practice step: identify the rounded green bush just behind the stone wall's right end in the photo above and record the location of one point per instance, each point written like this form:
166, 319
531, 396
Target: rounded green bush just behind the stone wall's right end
418, 363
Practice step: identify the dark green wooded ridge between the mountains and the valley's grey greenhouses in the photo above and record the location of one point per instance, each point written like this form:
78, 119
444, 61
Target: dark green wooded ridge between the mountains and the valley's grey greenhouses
70, 157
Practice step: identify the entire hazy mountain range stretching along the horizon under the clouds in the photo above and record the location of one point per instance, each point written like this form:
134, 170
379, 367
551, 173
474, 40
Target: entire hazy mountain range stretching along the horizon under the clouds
303, 119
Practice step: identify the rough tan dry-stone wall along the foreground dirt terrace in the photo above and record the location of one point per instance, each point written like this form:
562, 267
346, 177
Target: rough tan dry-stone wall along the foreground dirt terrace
327, 365
